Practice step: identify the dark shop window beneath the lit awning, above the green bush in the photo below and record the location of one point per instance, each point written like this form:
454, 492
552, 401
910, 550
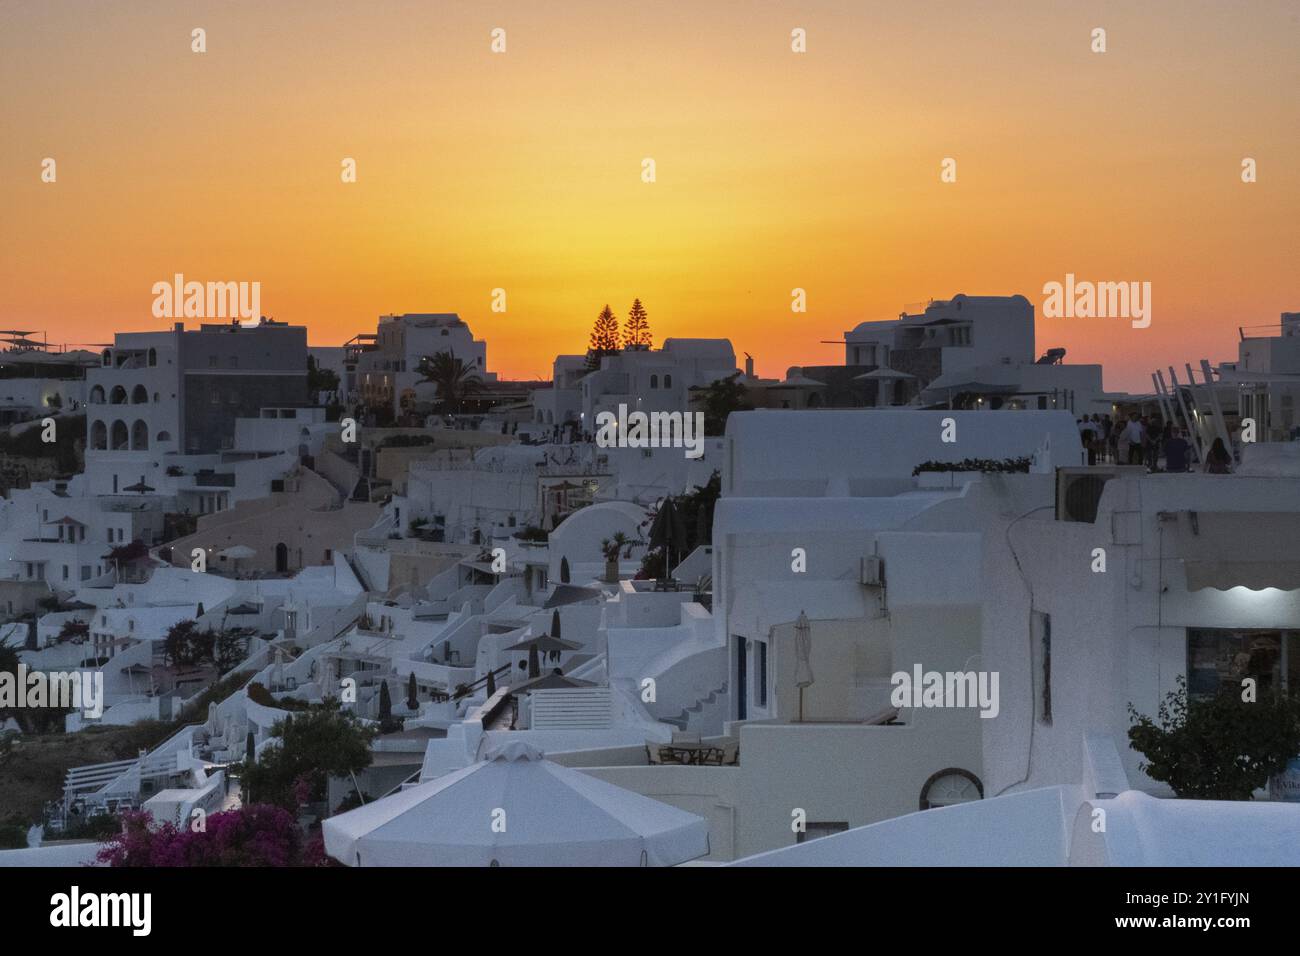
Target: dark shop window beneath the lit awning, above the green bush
1220, 659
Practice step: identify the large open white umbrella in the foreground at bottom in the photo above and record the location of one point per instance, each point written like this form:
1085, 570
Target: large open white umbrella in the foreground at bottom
515, 810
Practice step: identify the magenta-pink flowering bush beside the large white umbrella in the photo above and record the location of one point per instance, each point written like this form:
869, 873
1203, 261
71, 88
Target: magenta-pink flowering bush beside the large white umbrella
257, 836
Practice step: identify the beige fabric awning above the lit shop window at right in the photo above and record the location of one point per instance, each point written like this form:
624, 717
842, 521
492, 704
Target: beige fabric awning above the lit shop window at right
1241, 550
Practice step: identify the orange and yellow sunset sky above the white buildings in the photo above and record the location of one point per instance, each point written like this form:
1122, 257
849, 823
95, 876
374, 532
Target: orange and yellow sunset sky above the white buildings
523, 171
